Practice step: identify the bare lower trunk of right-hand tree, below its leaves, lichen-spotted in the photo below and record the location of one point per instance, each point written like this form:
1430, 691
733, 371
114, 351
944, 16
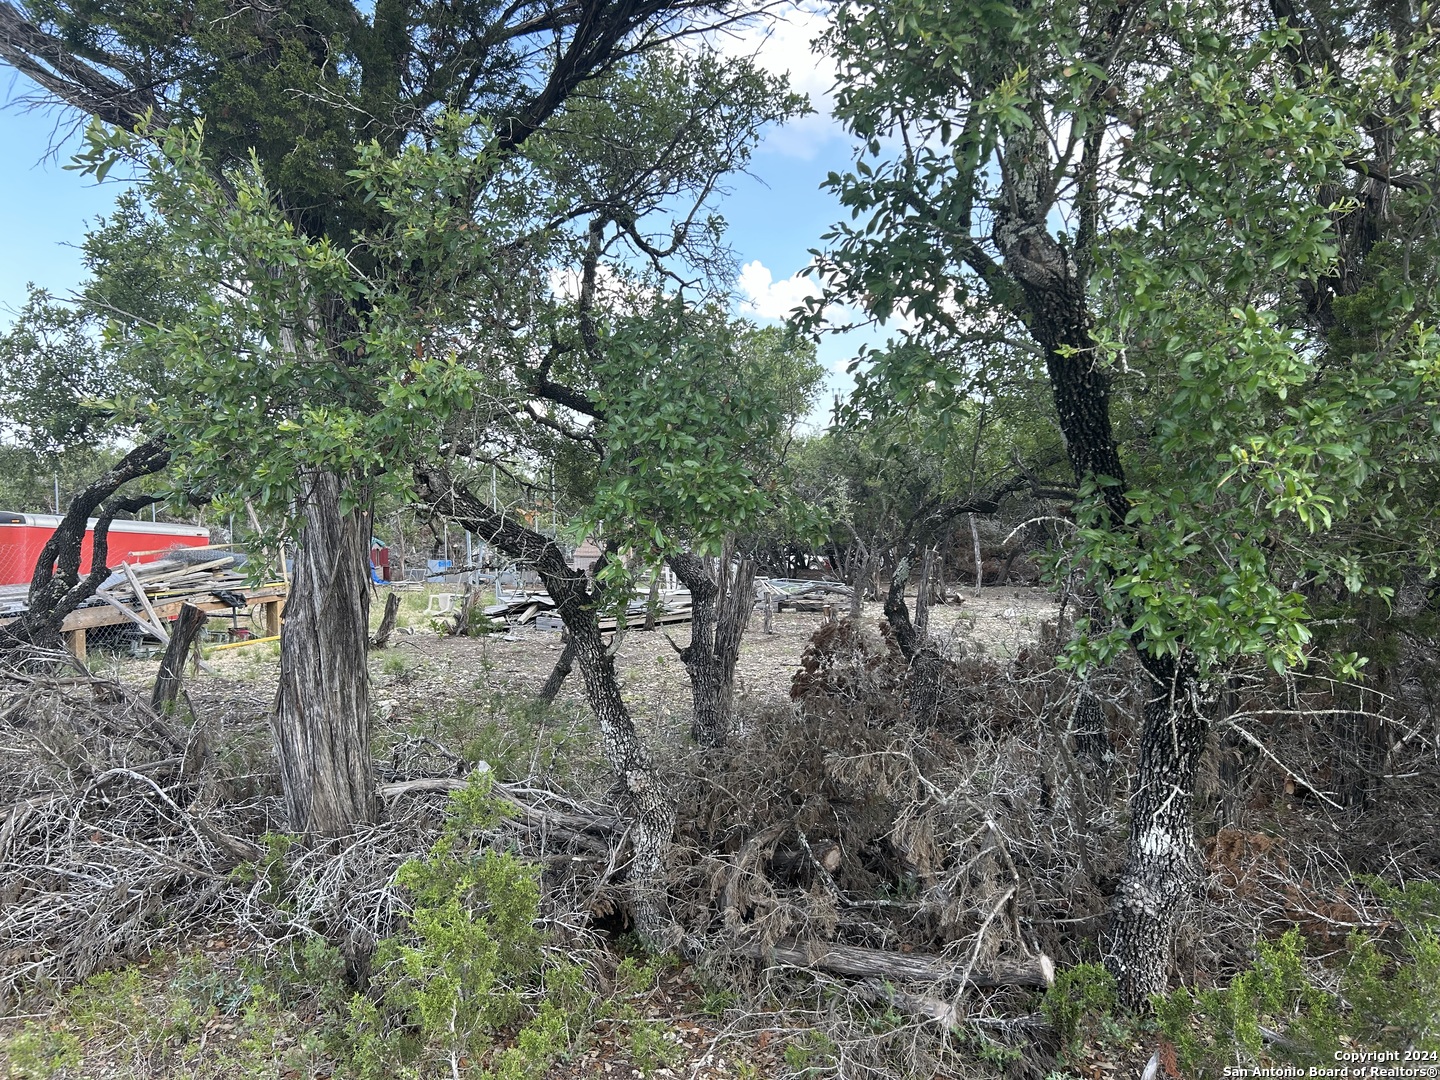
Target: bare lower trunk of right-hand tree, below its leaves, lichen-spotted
1161, 869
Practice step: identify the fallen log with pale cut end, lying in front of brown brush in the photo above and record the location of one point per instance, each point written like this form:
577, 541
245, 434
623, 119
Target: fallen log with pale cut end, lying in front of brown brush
869, 964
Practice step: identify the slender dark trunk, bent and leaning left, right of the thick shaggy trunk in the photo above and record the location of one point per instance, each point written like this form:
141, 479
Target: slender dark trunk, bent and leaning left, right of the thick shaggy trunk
643, 800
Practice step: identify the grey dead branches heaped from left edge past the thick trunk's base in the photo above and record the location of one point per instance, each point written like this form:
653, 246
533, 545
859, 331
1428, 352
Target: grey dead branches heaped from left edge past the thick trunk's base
125, 833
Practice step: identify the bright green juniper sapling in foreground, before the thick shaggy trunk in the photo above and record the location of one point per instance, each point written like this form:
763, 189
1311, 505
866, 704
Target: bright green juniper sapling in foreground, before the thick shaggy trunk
472, 964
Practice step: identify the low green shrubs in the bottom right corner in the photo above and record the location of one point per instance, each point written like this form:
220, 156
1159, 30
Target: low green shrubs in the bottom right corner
1386, 997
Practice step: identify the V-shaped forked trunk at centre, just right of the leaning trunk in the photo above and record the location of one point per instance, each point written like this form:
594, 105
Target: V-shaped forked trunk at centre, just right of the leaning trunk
722, 601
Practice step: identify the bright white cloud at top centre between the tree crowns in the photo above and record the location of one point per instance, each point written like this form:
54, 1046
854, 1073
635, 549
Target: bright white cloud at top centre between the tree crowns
786, 47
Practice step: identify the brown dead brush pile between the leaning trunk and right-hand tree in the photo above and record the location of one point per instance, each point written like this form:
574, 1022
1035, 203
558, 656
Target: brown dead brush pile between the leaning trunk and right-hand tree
973, 839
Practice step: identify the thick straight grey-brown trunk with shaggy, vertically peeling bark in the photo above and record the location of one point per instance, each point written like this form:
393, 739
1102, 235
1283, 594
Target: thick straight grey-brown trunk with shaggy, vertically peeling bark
322, 719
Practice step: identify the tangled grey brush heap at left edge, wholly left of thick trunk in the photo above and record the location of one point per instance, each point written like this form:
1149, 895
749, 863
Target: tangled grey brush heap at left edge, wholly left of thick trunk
110, 837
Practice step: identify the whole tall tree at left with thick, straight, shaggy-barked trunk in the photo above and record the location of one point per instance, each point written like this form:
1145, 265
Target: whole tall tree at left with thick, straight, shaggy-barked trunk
319, 119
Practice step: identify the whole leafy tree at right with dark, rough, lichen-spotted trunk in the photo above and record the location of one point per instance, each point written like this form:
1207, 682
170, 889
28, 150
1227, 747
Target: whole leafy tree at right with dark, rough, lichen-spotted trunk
1147, 194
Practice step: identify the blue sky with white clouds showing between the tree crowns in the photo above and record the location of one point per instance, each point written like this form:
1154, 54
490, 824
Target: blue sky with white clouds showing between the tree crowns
777, 215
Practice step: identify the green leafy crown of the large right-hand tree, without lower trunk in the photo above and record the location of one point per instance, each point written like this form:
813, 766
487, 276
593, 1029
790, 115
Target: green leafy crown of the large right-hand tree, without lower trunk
1271, 369
